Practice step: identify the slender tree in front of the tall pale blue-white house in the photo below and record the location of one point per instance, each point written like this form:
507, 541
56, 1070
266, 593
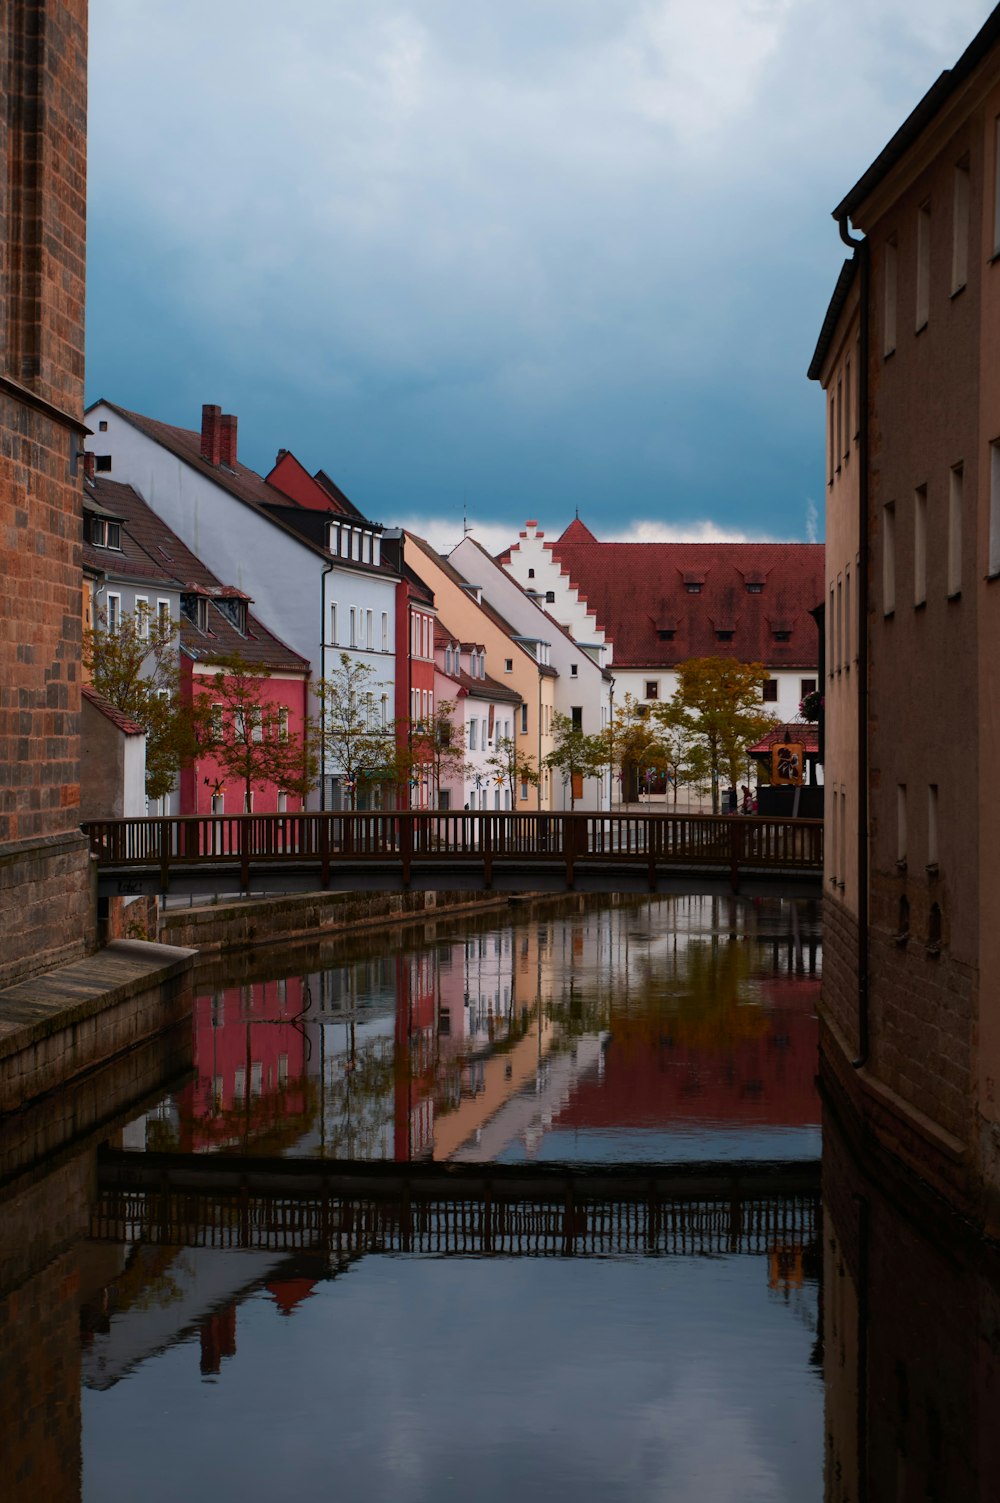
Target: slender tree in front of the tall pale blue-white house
357, 736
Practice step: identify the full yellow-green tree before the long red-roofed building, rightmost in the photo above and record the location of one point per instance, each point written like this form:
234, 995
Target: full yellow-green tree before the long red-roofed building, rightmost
727, 698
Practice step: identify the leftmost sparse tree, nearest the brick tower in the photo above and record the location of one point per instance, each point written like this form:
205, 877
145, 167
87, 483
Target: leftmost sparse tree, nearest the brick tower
138, 670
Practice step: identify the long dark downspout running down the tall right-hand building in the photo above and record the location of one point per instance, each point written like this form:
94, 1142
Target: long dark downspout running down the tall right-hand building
861, 249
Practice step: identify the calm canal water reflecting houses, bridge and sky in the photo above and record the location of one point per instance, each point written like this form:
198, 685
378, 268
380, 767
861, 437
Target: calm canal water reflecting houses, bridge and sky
694, 1338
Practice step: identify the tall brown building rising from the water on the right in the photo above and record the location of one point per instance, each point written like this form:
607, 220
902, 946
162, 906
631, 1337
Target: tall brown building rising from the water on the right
911, 1035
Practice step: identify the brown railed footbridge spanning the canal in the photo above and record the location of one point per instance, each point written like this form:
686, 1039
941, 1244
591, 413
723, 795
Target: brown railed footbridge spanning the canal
453, 851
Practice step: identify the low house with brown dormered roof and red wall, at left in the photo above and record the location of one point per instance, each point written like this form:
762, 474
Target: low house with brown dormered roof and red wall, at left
139, 567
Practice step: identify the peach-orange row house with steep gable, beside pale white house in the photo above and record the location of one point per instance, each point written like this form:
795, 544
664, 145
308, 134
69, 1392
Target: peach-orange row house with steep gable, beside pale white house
517, 662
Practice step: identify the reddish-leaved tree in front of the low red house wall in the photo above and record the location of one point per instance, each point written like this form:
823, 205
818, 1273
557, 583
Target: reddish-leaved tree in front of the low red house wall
250, 737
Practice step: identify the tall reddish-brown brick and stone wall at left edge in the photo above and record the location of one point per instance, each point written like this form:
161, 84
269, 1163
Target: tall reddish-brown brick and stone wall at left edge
46, 909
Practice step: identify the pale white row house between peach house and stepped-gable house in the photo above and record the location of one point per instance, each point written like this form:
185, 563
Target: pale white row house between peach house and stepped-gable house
583, 689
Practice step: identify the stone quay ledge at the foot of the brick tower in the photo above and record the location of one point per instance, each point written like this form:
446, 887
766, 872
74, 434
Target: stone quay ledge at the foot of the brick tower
58, 1027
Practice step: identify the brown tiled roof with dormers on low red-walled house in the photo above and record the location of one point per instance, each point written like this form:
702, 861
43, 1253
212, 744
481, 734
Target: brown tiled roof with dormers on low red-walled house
157, 554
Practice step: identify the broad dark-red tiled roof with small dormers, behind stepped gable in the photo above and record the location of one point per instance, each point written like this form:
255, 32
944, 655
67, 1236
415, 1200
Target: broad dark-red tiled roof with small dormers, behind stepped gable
664, 603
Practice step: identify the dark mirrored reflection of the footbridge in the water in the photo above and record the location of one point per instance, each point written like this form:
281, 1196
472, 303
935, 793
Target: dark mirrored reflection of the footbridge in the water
435, 1209
